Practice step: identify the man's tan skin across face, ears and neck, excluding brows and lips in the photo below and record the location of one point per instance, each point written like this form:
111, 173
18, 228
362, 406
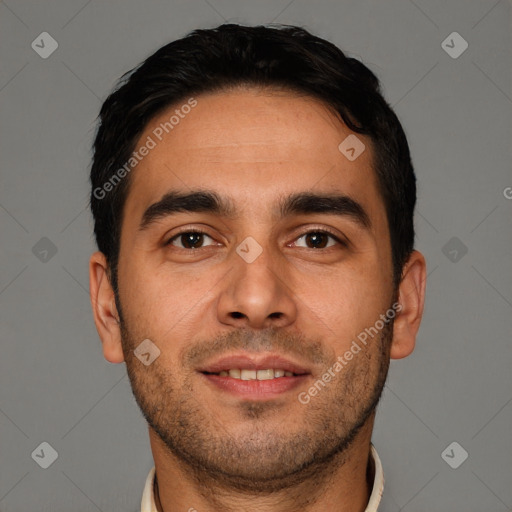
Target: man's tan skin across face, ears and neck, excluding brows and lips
215, 451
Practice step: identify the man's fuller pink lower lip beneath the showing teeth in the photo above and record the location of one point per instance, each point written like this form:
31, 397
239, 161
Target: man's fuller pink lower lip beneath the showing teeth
256, 389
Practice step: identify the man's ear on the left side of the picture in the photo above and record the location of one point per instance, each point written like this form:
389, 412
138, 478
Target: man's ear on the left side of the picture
104, 308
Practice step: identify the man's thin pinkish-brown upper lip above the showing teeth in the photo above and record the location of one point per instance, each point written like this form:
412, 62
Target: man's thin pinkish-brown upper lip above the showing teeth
253, 362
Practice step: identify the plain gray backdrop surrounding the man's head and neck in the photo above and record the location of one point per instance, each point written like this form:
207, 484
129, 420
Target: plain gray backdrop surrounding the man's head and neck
55, 385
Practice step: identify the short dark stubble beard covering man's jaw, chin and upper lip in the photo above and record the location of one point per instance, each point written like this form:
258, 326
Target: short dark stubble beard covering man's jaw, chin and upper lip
261, 456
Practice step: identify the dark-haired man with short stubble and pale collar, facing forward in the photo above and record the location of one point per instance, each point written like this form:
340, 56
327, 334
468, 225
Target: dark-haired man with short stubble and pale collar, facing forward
253, 200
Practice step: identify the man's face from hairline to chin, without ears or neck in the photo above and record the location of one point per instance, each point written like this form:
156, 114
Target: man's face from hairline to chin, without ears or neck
279, 264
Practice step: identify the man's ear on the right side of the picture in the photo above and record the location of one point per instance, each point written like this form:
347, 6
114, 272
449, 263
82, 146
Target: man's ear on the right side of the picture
411, 299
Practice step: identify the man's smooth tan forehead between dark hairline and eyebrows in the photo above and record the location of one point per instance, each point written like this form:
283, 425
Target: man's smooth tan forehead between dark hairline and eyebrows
251, 145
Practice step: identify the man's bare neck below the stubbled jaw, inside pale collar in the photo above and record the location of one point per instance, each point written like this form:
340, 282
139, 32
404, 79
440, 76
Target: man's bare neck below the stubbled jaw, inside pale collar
341, 484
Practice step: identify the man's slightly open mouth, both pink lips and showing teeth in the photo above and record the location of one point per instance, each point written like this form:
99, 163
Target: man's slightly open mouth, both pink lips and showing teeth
254, 377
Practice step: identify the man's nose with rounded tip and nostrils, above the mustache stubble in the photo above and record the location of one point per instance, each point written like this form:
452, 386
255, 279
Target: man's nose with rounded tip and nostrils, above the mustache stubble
257, 295
